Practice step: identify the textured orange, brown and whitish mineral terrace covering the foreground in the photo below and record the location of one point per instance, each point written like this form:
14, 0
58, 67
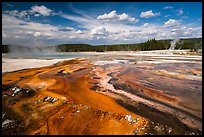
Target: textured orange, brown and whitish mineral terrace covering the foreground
117, 93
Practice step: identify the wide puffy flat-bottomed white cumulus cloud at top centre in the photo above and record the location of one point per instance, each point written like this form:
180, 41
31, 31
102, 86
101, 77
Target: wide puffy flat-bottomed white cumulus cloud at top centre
113, 16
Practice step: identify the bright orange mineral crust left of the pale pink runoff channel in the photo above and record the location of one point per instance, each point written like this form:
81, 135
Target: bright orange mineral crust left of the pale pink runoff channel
58, 100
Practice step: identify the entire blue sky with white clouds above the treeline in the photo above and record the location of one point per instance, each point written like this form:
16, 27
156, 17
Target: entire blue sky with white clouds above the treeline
97, 23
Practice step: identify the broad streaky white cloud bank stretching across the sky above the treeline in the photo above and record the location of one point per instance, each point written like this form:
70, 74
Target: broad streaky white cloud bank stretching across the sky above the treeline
95, 31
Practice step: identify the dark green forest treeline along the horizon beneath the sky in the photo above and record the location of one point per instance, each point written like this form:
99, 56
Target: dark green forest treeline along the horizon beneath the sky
152, 44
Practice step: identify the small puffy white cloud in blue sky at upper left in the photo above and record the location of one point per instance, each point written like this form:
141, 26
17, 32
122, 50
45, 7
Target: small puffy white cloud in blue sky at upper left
42, 10
